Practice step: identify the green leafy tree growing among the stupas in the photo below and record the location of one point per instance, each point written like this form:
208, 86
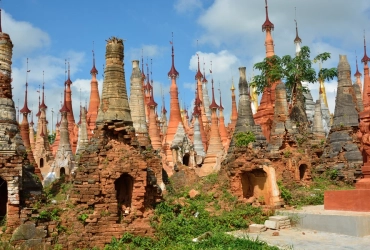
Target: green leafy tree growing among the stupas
292, 71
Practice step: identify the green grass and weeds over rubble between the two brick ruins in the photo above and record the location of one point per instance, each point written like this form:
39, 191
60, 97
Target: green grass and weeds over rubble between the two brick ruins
180, 219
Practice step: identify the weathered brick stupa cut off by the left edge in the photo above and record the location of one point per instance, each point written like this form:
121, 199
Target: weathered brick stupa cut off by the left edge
17, 182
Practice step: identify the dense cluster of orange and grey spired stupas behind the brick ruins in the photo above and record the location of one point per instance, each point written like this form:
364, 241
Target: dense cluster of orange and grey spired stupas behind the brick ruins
197, 138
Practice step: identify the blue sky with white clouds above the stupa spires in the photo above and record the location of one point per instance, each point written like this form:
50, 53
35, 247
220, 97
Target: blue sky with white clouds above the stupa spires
226, 32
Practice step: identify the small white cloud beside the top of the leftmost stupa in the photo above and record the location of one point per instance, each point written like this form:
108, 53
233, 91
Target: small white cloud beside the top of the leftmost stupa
25, 37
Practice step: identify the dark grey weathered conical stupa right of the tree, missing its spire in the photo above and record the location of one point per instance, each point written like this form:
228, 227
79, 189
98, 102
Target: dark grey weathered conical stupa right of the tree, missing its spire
341, 152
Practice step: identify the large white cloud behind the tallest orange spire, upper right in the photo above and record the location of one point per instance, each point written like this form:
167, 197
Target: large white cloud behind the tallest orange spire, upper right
237, 24
